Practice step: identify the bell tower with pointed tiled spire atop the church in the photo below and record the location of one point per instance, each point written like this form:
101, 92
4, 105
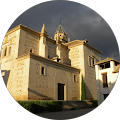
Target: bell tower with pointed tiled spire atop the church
60, 32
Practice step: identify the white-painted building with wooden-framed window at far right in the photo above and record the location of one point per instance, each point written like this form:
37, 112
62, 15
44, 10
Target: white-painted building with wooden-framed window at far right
106, 75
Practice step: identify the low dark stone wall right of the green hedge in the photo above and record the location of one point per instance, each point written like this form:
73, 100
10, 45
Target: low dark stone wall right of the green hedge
69, 105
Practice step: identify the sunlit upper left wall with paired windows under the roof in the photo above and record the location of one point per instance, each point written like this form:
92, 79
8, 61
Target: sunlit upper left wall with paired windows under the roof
11, 40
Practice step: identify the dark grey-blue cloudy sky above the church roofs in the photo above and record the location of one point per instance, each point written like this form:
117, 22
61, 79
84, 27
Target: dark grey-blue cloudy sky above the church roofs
79, 22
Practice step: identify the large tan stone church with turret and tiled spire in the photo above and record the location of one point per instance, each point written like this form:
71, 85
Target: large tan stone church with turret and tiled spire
37, 67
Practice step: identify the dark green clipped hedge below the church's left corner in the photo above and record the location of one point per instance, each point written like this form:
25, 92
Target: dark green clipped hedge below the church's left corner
39, 106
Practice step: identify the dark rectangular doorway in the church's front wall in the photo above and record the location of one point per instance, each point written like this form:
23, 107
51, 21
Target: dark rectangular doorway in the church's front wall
61, 91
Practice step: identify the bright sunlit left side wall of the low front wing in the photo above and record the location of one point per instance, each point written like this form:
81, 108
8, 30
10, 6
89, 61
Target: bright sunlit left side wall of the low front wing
17, 83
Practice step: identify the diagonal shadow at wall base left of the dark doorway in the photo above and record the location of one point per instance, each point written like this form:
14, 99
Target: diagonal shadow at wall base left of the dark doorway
36, 94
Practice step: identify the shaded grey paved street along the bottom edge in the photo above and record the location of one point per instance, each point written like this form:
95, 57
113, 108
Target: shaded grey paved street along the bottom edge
62, 115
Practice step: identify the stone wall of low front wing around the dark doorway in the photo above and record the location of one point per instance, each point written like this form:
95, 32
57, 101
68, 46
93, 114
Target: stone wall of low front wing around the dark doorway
45, 87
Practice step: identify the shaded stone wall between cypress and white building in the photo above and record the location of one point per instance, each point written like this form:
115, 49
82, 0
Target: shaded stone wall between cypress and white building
90, 79
